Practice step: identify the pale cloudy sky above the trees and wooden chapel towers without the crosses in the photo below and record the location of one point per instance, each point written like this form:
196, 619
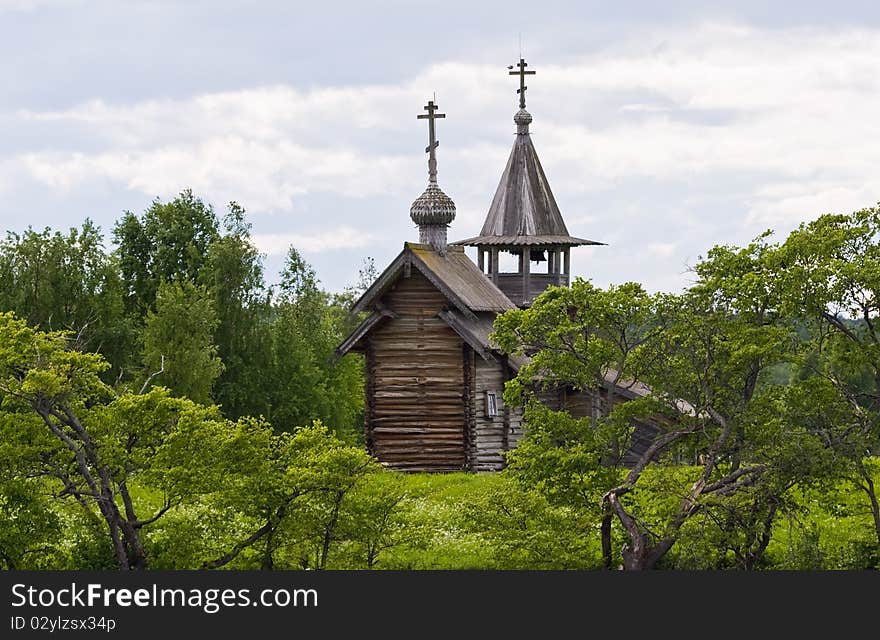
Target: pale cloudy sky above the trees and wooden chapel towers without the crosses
663, 130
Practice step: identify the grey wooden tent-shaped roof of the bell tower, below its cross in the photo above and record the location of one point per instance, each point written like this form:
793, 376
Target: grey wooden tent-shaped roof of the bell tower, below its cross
524, 210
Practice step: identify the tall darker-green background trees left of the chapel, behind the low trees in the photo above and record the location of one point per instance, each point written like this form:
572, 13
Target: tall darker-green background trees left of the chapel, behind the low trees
182, 302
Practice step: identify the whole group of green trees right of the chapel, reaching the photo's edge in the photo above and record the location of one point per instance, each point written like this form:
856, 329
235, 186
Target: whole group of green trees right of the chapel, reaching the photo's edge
764, 381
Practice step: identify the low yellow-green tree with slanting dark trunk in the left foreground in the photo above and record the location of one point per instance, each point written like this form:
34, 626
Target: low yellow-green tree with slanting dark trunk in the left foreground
69, 427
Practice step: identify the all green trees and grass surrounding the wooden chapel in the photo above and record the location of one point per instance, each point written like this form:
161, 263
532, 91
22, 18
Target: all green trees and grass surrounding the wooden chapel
161, 407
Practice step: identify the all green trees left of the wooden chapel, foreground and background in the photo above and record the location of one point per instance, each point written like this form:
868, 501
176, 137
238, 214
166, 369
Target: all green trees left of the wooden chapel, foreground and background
160, 400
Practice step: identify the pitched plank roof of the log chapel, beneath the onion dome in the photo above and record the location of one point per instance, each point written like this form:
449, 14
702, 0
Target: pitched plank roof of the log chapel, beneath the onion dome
454, 274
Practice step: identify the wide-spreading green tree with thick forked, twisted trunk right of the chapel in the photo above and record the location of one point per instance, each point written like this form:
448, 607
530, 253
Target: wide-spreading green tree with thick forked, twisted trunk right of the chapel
702, 359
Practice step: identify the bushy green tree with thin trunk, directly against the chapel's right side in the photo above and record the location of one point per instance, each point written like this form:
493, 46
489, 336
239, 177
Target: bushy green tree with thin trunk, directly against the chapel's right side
593, 351
